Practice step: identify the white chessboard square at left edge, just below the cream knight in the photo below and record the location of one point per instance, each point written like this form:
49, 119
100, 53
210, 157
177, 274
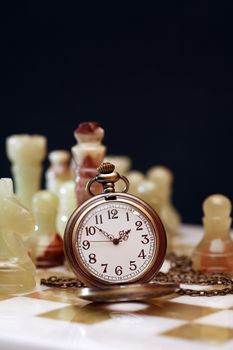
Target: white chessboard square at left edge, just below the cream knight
19, 306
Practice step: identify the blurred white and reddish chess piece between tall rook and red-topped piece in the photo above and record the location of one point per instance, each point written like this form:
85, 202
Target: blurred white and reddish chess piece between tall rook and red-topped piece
59, 170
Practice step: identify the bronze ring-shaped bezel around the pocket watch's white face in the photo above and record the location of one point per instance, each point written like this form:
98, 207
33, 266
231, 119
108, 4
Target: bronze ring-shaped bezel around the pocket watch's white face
71, 232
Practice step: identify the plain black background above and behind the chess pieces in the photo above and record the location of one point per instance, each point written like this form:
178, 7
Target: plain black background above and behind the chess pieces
159, 81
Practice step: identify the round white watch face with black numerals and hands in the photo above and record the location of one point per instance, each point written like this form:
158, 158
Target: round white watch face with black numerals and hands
116, 242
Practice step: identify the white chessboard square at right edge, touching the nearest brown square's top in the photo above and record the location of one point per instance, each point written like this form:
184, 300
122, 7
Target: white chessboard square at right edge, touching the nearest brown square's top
222, 318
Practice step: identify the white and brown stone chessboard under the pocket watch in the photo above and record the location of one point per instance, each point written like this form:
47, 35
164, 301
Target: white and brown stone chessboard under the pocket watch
49, 318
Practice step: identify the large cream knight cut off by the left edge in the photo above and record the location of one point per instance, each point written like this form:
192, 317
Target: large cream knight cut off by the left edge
17, 272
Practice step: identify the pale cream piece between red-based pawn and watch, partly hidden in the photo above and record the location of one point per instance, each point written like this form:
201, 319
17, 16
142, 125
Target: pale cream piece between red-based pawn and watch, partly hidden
67, 204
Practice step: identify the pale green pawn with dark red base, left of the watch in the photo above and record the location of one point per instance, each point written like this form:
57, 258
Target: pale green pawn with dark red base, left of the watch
48, 245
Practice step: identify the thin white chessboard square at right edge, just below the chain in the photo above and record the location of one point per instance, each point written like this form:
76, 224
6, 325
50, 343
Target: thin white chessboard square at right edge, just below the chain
218, 302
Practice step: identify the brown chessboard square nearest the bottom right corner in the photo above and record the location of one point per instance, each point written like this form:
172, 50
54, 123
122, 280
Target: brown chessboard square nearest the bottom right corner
201, 332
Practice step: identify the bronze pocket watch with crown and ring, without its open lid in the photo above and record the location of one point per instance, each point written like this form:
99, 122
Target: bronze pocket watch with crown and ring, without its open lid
114, 238
